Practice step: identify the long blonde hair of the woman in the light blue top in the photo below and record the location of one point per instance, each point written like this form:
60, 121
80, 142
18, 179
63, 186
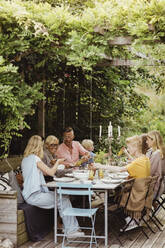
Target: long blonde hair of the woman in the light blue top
34, 146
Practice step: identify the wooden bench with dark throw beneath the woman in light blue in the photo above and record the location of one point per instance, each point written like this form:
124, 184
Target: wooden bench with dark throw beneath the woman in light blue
20, 221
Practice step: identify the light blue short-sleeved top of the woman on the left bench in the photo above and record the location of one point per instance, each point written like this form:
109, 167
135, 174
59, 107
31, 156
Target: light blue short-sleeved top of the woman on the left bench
33, 176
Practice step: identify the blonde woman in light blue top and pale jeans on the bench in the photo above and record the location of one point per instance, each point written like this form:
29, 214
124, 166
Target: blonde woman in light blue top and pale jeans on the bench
34, 191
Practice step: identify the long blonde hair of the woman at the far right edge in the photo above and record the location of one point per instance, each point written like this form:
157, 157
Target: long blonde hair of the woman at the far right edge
157, 142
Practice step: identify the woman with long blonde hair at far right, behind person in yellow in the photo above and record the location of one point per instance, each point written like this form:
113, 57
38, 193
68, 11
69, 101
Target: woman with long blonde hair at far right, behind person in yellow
157, 159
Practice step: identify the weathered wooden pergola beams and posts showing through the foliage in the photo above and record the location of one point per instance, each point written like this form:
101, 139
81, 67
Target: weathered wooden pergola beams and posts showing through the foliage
106, 61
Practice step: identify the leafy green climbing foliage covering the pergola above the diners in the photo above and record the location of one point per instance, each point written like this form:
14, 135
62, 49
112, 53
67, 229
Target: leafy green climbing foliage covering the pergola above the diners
43, 41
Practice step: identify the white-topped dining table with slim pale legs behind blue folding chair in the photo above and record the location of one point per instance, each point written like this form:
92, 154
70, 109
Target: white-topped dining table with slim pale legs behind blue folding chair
98, 185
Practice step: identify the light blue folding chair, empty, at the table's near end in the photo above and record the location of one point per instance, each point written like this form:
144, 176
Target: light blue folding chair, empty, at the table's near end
74, 189
